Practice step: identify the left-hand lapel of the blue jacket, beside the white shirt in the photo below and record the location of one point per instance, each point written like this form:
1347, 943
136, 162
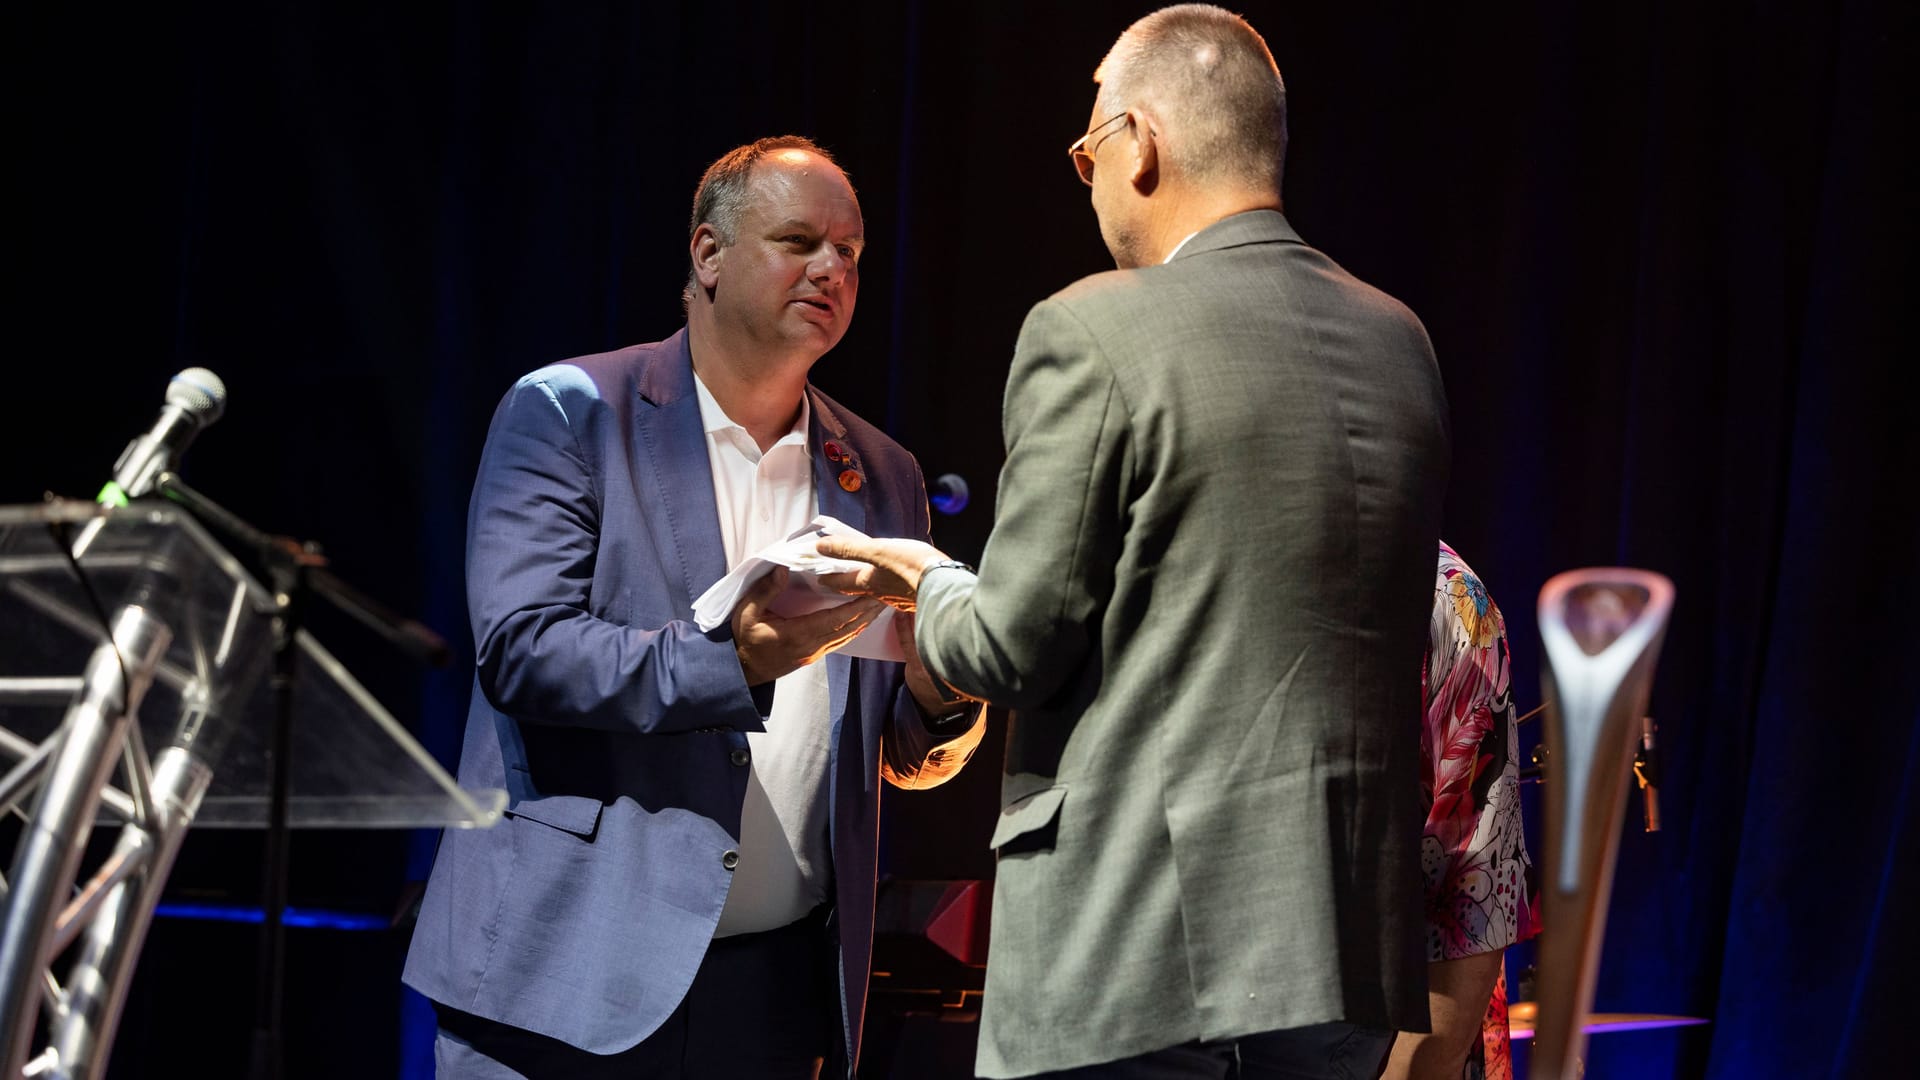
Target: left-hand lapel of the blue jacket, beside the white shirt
673, 441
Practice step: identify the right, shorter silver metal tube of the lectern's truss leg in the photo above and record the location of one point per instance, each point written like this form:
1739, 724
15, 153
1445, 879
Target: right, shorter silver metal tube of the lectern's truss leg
97, 987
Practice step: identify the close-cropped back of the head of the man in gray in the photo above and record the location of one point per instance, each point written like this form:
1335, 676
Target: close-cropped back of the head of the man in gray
1211, 80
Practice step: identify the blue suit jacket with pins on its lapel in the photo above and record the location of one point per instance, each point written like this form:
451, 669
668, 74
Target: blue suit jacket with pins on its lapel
613, 722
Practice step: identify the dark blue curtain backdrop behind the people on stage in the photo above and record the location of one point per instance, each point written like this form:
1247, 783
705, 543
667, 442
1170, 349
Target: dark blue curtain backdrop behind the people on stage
1664, 253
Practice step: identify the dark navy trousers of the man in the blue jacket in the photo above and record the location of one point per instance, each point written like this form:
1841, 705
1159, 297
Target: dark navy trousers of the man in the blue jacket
761, 1006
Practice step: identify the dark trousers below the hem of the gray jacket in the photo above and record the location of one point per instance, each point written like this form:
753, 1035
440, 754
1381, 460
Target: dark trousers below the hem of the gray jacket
1320, 1052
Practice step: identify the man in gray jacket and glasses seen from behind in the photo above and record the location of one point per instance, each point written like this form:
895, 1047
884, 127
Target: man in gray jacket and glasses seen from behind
1207, 601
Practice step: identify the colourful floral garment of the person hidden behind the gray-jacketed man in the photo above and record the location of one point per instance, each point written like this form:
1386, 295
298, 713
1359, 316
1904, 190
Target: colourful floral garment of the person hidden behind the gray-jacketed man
1474, 852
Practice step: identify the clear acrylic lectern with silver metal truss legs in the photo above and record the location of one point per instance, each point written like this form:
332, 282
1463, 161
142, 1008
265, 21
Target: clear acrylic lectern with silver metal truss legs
135, 693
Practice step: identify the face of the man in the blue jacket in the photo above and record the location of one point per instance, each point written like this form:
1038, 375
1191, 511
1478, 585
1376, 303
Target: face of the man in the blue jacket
792, 276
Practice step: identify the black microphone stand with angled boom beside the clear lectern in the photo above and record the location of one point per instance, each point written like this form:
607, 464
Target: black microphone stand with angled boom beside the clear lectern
295, 574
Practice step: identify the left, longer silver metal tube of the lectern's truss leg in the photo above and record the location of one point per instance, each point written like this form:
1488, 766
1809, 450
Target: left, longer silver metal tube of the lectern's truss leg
55, 837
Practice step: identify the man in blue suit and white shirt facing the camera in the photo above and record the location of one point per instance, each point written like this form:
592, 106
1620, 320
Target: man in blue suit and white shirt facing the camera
684, 877
